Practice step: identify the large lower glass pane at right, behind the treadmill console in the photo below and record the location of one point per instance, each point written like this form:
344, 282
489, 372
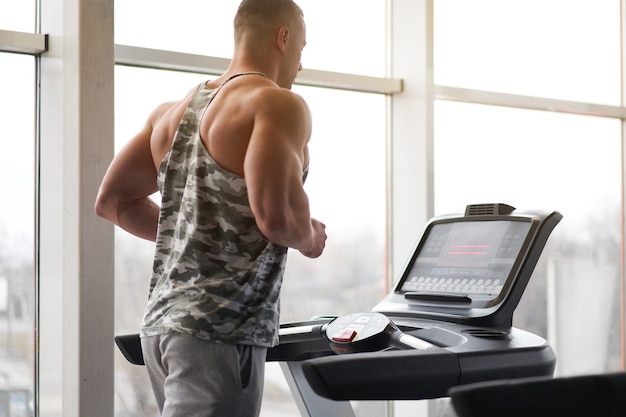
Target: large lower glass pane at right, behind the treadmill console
533, 159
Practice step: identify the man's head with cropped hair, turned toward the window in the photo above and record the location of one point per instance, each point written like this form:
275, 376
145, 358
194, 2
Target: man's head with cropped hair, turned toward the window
273, 26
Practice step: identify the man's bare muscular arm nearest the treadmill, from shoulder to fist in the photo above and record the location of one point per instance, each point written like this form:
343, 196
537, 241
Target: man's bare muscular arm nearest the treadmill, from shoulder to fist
273, 169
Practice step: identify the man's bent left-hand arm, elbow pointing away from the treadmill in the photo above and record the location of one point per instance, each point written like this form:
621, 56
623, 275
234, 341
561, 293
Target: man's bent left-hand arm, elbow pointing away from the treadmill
123, 197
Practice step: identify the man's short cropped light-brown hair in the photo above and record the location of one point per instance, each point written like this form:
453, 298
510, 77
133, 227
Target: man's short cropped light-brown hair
259, 16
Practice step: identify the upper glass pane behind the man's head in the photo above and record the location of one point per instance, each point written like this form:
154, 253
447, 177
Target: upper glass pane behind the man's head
205, 28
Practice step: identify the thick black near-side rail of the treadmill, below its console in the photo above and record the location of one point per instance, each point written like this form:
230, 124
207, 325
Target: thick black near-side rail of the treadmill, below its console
421, 374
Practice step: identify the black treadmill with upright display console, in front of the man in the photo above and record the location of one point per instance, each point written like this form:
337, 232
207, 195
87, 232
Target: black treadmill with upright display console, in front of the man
446, 323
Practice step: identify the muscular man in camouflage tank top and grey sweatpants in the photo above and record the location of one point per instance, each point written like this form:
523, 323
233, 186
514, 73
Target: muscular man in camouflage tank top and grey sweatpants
229, 161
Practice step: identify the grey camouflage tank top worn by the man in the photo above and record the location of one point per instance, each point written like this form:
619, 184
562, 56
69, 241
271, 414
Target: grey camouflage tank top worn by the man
215, 276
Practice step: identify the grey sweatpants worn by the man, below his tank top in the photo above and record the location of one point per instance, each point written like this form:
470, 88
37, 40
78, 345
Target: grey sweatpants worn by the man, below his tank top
196, 378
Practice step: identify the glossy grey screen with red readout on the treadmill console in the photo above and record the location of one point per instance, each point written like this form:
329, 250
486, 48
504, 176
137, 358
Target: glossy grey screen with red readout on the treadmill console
473, 258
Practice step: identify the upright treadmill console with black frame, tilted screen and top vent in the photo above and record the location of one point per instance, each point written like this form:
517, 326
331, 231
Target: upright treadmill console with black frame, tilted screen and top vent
472, 268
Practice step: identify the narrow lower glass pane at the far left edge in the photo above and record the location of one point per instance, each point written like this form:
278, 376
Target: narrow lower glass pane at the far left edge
17, 214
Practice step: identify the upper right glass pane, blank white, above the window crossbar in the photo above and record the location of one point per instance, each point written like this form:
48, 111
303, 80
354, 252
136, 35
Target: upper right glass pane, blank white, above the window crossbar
559, 49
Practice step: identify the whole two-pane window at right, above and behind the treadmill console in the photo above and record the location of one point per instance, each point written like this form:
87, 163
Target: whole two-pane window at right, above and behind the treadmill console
541, 159
